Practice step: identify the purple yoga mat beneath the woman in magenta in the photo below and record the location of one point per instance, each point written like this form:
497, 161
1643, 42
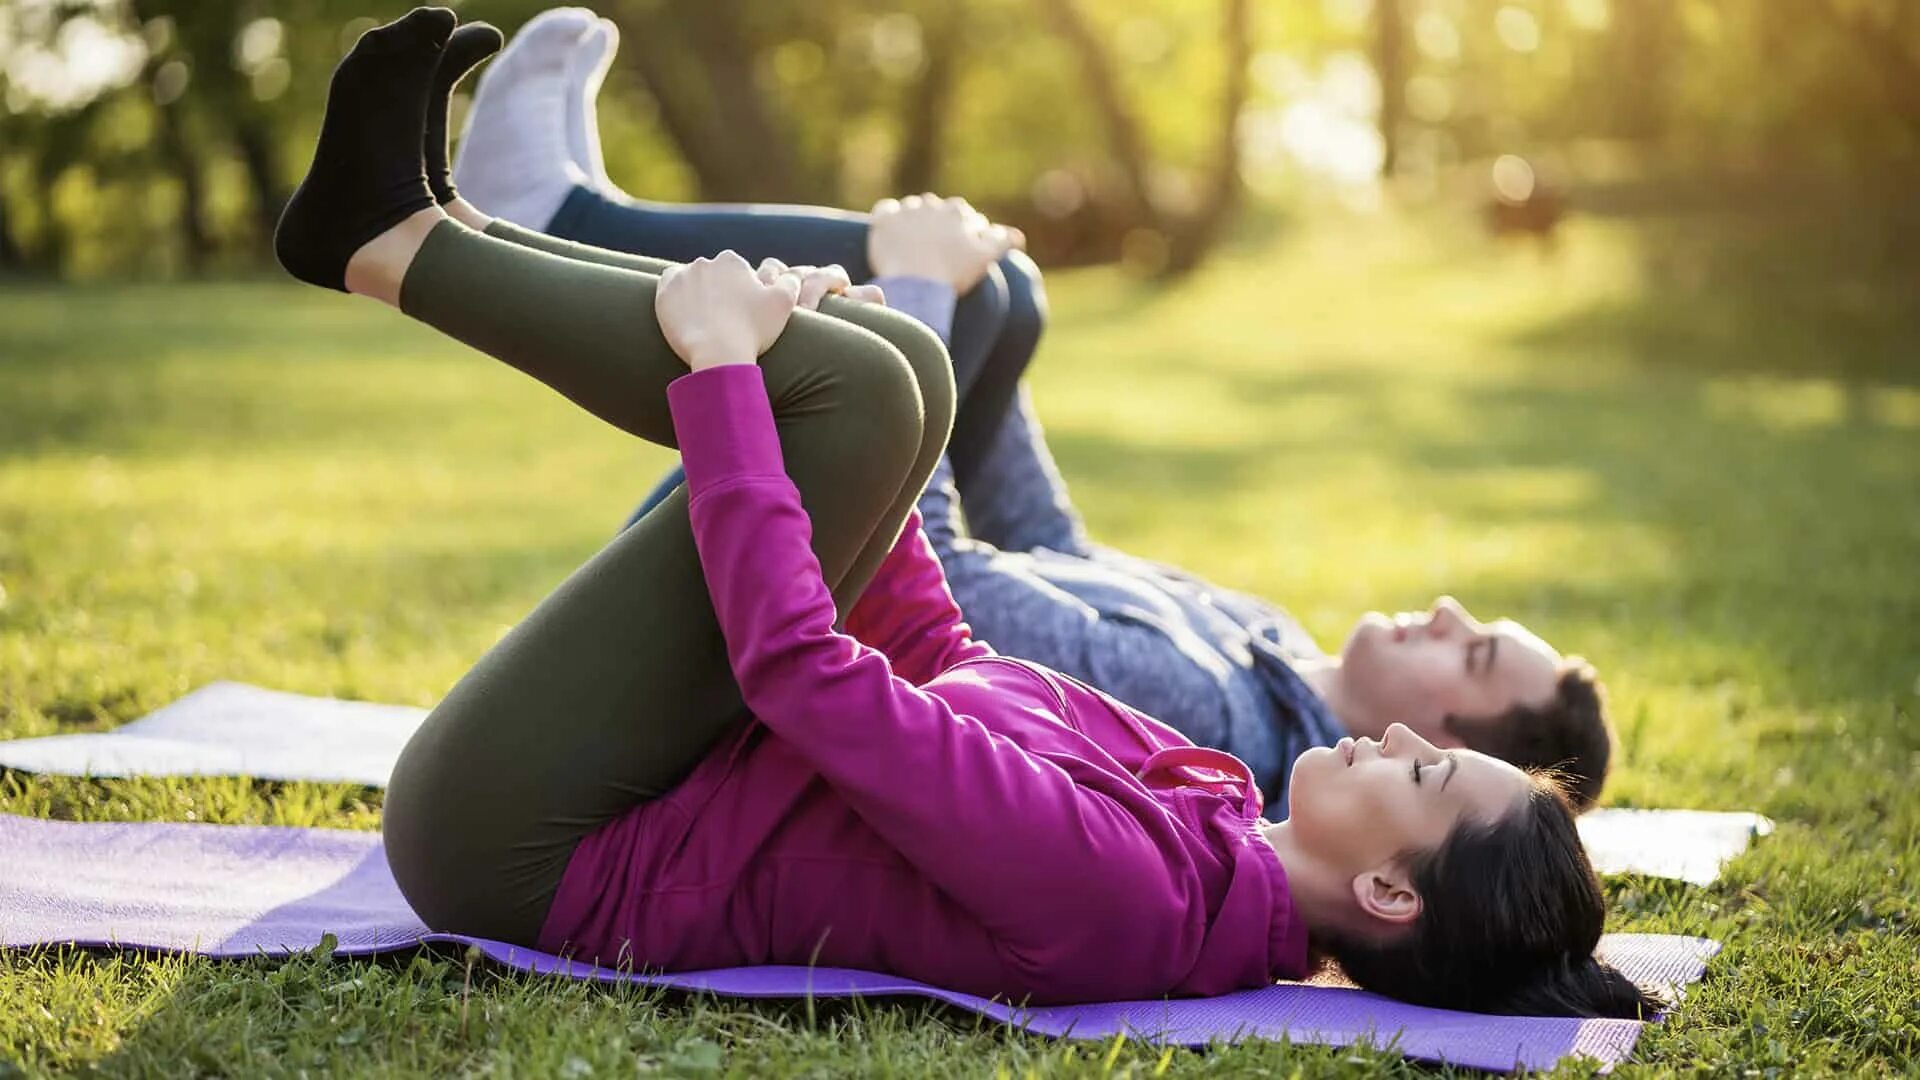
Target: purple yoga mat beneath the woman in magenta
262, 891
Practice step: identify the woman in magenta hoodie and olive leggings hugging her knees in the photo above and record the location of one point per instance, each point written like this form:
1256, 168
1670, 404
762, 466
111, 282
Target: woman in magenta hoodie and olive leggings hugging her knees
688, 766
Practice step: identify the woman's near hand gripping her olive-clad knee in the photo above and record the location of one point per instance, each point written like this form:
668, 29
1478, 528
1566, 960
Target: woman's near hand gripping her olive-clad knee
719, 312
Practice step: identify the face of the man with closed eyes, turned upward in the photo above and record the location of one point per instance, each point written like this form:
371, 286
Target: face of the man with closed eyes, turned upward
1420, 670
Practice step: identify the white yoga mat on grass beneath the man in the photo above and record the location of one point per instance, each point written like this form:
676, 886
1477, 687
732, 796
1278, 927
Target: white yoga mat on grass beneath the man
231, 729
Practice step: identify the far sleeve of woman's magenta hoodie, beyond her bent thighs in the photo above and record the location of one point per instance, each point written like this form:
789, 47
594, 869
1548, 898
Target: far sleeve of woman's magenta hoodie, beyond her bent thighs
911, 616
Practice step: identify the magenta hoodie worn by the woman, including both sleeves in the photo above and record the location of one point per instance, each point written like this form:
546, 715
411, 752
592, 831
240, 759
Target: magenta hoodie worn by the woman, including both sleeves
905, 800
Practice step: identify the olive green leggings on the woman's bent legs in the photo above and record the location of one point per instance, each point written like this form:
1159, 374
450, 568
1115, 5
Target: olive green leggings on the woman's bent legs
617, 685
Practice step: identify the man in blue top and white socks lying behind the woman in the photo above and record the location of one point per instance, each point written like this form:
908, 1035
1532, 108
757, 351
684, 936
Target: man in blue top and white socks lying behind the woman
1224, 670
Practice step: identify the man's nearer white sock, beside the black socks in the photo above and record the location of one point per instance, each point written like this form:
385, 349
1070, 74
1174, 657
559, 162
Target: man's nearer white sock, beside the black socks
514, 157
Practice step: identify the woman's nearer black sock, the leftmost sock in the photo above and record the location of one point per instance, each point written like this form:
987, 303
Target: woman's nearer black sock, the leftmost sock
368, 172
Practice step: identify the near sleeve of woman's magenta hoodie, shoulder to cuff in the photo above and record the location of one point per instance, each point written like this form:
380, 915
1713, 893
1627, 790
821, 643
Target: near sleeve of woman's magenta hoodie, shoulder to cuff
1026, 841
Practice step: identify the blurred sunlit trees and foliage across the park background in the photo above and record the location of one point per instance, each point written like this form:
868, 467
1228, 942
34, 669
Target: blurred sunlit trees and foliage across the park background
160, 137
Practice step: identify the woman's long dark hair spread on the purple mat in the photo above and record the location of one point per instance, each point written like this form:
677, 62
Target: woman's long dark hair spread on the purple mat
1510, 916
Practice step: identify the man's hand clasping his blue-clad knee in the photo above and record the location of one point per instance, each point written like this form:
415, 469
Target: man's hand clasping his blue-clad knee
938, 239
